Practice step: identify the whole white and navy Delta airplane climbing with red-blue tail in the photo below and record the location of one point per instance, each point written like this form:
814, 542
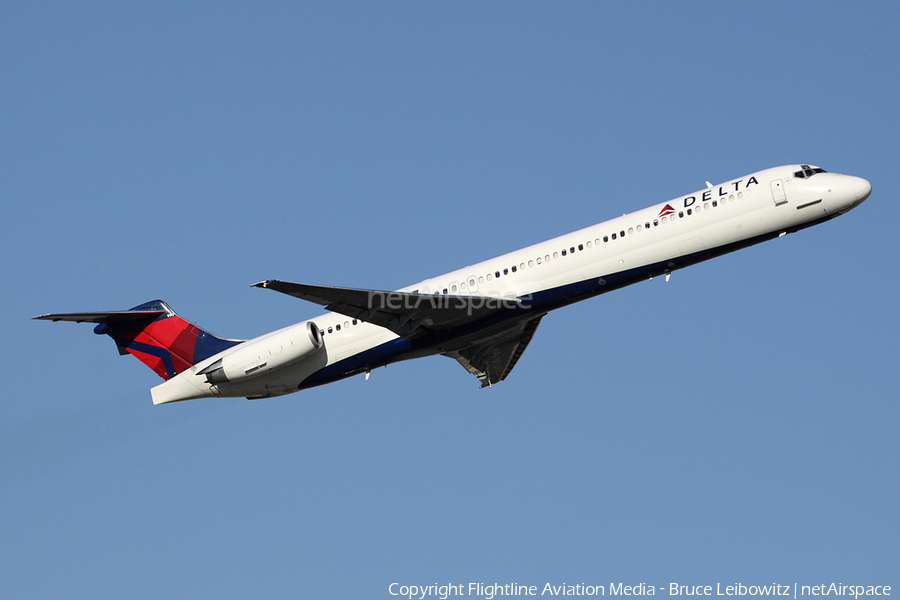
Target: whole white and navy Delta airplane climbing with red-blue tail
483, 315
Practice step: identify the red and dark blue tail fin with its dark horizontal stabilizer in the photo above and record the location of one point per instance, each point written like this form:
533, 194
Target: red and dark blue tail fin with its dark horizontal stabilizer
154, 334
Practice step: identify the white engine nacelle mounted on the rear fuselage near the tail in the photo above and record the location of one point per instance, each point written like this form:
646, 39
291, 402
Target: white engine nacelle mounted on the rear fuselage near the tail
273, 351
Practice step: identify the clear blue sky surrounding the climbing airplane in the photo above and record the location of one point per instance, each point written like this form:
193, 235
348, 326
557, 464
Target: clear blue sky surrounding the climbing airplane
736, 424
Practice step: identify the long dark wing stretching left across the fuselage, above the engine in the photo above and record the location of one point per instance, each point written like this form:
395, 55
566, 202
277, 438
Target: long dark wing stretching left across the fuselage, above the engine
409, 315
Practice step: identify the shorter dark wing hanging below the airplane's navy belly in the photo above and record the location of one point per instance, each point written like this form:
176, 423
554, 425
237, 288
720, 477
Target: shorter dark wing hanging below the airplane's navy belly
492, 360
